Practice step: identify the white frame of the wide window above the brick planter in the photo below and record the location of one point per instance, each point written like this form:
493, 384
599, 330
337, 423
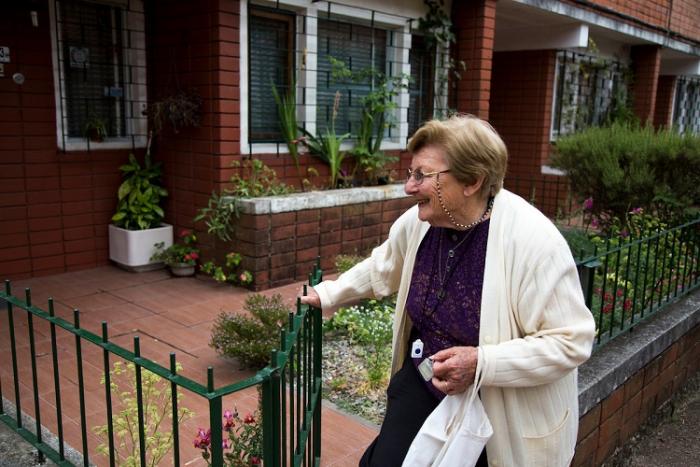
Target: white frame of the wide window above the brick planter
307, 11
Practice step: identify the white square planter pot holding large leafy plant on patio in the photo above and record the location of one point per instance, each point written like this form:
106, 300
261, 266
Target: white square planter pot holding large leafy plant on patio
132, 249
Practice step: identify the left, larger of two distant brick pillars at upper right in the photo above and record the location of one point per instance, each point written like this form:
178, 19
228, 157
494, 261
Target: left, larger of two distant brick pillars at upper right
646, 61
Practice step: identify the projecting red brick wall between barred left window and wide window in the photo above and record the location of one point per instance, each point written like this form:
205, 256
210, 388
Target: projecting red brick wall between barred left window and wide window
196, 46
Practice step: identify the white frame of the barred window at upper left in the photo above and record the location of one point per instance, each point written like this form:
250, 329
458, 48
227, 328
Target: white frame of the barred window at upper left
135, 92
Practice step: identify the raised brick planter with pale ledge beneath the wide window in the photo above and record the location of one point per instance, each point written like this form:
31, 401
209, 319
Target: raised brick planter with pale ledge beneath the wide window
280, 237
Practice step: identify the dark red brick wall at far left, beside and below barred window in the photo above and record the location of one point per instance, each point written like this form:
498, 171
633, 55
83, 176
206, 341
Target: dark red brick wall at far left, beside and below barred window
54, 206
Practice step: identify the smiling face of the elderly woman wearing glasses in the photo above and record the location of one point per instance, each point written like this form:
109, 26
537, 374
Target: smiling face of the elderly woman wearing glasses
427, 160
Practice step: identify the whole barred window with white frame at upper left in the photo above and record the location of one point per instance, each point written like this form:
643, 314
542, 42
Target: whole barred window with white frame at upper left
99, 65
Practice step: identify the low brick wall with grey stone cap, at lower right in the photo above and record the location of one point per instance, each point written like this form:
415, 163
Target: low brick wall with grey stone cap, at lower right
629, 379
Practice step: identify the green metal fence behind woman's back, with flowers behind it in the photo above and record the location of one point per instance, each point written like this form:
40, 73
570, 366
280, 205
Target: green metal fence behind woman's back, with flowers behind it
630, 279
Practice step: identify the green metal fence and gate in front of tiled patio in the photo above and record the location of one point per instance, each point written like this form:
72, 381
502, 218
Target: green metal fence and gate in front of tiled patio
291, 387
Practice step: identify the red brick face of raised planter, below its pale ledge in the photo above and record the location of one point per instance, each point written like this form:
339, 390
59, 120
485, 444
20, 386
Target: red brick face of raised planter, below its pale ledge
282, 247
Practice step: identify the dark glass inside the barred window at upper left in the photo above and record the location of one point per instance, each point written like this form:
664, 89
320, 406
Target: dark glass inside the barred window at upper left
93, 71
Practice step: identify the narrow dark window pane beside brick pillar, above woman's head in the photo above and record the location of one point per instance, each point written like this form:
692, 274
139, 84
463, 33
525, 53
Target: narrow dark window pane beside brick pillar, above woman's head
421, 92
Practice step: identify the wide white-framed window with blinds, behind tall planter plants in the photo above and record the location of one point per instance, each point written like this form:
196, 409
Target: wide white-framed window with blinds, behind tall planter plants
290, 42
